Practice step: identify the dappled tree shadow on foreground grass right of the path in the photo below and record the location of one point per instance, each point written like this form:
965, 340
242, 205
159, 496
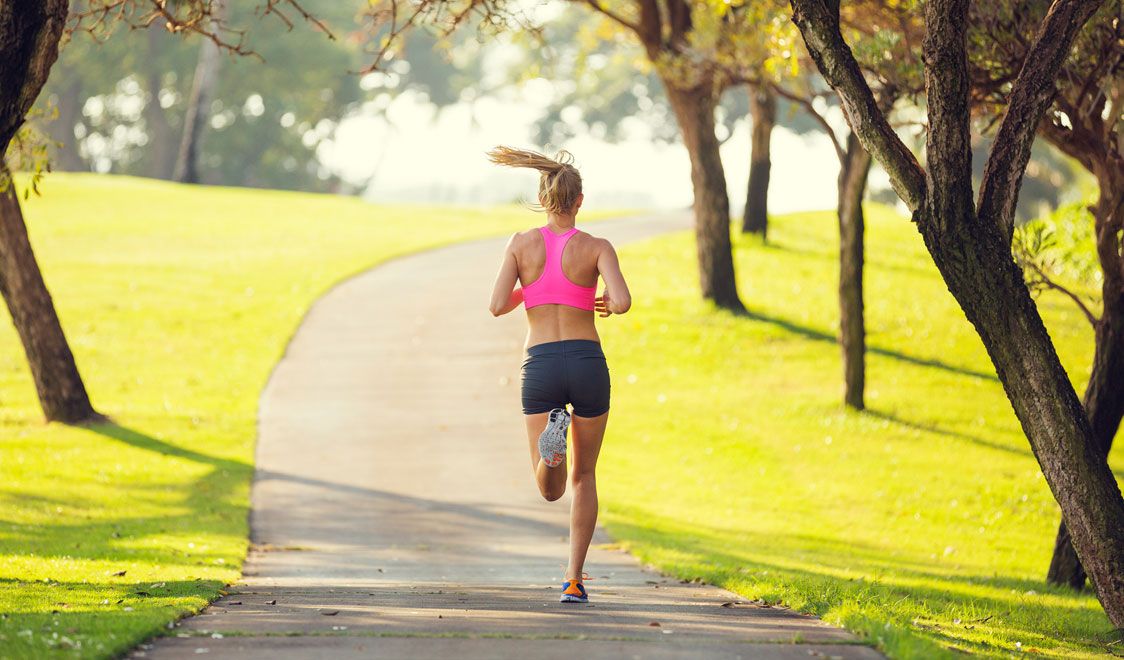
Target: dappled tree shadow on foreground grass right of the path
872, 587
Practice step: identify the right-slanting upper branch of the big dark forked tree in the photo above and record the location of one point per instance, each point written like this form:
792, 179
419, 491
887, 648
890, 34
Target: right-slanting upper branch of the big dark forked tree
1030, 98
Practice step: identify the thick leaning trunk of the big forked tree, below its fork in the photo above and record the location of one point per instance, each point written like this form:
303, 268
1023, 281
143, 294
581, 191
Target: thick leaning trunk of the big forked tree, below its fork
977, 267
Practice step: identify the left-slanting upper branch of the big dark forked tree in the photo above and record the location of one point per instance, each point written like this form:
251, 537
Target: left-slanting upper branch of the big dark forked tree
820, 25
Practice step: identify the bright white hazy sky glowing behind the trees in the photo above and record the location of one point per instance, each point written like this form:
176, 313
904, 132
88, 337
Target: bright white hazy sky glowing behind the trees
422, 157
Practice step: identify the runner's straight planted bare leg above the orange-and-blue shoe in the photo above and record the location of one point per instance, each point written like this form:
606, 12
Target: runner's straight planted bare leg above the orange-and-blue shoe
588, 433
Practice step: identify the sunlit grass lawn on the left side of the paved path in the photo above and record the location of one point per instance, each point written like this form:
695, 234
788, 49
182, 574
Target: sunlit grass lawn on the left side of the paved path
177, 302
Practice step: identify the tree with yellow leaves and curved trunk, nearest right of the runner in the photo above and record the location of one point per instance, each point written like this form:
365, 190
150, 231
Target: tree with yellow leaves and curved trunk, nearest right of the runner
696, 48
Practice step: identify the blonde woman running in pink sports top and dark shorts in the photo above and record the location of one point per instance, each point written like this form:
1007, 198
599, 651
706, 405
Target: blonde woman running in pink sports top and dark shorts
558, 267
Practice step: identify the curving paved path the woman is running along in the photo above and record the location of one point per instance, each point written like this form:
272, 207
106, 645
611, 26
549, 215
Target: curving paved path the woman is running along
395, 514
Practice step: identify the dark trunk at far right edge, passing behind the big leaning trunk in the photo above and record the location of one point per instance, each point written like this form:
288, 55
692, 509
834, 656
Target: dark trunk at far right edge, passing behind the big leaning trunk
1104, 394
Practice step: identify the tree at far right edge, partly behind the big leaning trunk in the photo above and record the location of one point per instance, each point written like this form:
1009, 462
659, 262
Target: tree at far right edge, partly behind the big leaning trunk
1085, 124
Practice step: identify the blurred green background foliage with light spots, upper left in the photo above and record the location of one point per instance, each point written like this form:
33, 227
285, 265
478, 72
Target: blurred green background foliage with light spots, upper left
273, 110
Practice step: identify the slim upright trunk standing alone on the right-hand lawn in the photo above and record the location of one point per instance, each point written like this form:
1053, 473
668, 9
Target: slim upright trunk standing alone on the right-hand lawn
853, 186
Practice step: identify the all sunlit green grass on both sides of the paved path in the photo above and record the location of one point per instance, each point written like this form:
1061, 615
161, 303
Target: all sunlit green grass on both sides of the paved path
923, 525
